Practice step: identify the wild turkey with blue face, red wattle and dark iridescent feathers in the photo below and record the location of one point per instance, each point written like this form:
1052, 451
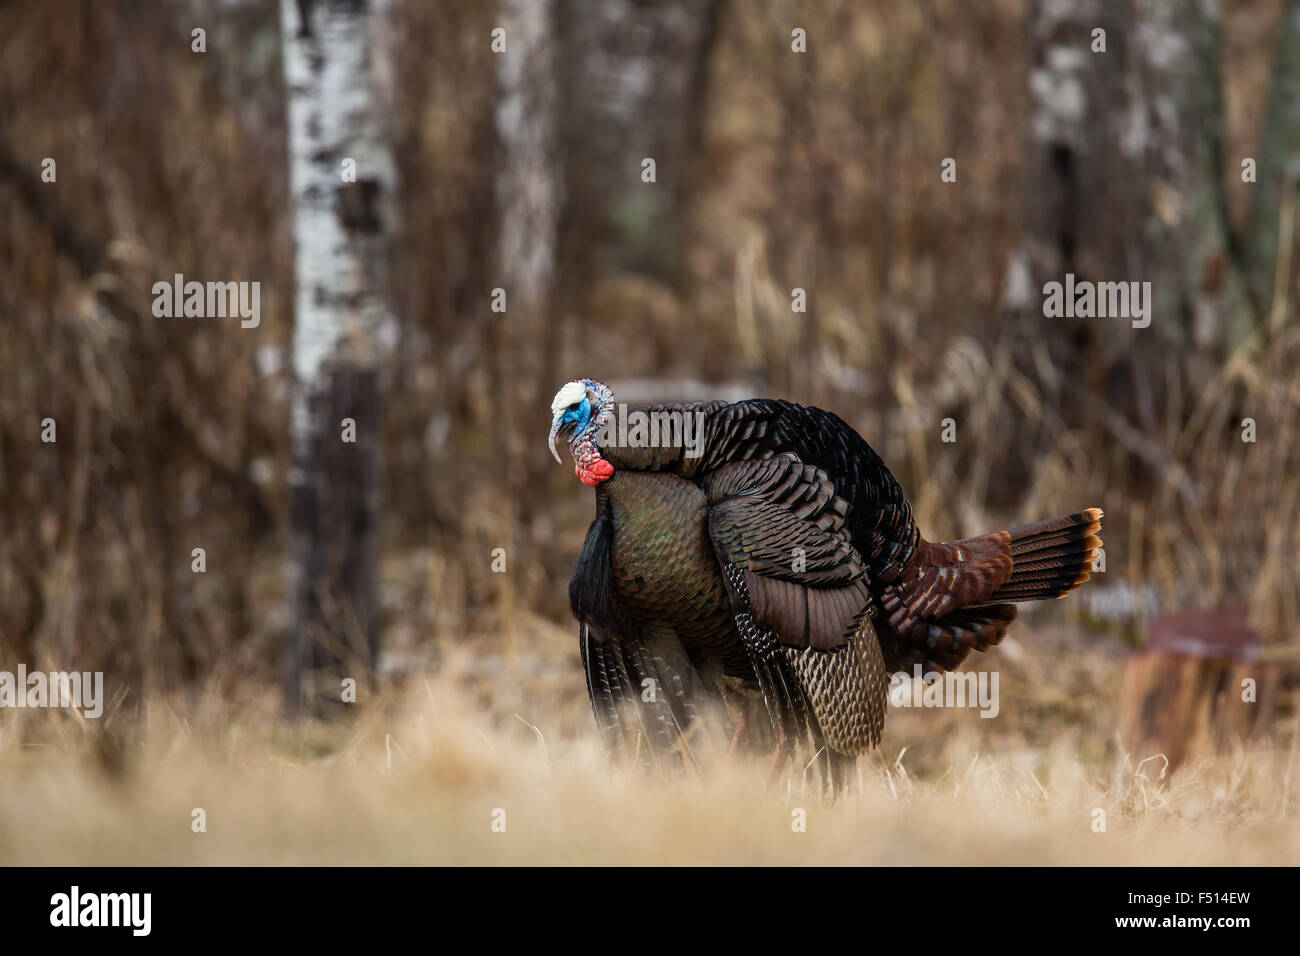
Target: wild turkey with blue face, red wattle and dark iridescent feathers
775, 553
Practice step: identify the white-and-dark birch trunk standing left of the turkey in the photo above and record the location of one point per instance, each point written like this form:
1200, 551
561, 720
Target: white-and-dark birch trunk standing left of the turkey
340, 220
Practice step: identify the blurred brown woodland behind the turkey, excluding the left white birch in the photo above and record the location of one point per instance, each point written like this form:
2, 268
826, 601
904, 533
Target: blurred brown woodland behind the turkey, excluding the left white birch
523, 171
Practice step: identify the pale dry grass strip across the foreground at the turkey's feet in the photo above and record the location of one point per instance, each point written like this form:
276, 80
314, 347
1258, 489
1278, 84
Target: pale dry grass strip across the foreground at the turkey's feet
415, 780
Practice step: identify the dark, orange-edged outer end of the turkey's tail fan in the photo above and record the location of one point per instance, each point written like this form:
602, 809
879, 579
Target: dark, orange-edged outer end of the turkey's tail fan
1052, 559
